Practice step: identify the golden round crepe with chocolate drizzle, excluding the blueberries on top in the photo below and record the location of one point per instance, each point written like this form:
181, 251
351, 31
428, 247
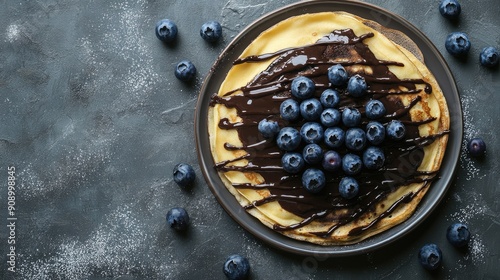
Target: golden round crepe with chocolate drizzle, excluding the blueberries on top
259, 81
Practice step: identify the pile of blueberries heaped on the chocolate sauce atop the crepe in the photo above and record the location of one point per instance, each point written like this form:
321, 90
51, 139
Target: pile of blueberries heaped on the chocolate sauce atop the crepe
326, 128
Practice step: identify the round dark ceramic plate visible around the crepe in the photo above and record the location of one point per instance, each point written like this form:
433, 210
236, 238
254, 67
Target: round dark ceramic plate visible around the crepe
434, 62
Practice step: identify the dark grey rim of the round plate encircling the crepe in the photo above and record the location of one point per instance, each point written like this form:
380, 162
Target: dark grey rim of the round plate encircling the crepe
287, 244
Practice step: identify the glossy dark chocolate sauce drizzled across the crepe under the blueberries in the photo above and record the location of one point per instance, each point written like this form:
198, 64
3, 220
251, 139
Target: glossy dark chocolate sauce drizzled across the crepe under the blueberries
261, 98
